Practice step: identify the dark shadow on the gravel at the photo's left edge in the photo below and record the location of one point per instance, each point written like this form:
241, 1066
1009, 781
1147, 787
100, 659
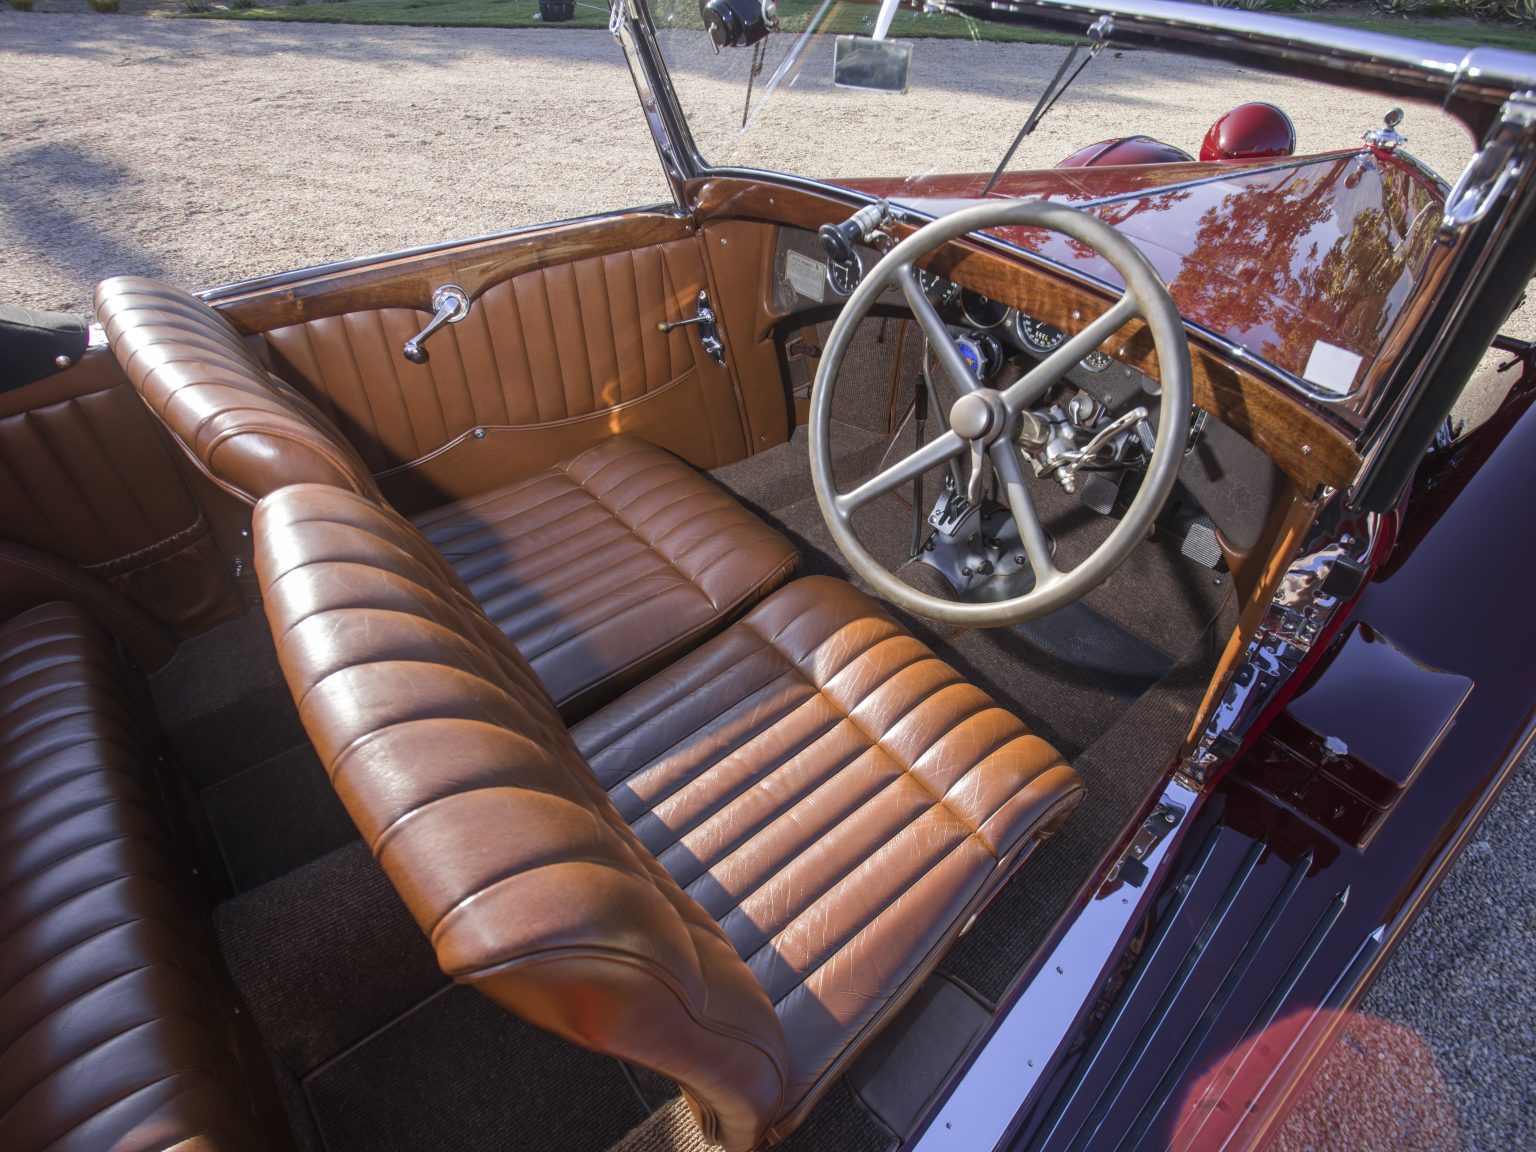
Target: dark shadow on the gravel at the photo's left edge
39, 191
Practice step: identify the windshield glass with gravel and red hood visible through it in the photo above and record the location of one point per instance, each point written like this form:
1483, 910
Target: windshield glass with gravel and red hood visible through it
1274, 256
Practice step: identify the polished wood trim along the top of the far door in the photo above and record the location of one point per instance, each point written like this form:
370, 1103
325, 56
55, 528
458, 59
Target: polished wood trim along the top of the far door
409, 282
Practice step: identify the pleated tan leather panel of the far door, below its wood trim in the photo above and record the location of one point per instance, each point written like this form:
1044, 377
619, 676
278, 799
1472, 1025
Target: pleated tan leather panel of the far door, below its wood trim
548, 363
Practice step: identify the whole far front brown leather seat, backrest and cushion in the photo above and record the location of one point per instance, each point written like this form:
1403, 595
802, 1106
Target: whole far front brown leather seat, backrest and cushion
601, 569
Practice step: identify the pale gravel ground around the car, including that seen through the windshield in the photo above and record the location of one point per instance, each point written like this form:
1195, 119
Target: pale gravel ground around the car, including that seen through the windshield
204, 153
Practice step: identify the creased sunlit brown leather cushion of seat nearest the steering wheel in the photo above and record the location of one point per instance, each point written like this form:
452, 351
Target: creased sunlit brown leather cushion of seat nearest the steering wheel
836, 798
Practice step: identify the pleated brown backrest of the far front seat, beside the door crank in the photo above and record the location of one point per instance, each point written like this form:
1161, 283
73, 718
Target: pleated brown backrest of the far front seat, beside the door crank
250, 431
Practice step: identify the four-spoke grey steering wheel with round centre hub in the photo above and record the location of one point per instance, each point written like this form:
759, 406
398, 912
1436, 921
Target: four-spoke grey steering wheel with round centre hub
985, 422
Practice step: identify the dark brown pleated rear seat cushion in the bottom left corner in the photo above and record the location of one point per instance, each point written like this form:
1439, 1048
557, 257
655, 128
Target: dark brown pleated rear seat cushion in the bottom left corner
118, 1028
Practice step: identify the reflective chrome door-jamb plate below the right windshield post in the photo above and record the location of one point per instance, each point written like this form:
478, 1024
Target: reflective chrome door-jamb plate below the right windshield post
1323, 578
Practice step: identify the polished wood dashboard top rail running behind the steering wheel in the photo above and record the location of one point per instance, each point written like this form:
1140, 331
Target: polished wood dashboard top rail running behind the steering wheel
1308, 446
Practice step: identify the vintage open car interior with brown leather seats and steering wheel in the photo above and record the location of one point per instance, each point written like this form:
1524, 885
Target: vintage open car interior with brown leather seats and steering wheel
652, 681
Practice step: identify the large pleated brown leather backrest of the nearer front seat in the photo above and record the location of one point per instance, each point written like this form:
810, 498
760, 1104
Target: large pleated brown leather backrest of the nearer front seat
457, 769
